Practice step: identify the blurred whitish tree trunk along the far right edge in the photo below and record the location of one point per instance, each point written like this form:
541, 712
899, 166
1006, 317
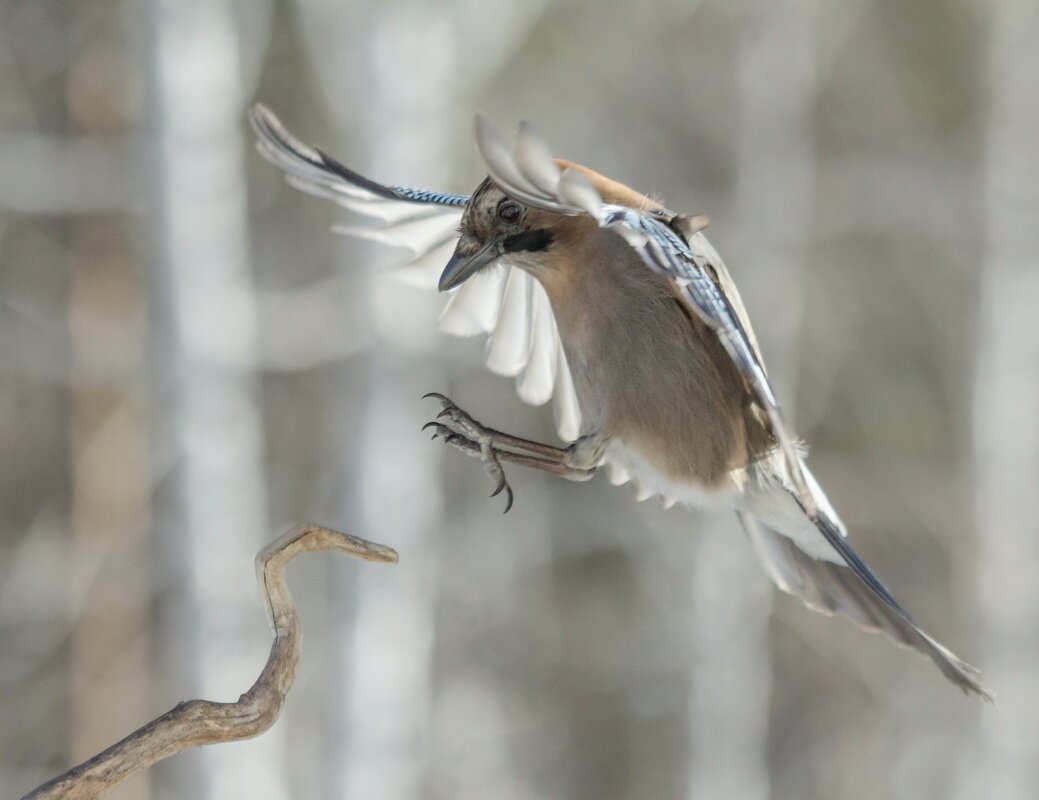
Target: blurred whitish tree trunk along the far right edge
1006, 398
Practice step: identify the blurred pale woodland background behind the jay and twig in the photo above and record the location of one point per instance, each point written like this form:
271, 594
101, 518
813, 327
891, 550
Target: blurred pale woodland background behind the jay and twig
191, 363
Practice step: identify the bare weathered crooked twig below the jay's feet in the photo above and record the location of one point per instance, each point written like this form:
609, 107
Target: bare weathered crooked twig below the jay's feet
201, 723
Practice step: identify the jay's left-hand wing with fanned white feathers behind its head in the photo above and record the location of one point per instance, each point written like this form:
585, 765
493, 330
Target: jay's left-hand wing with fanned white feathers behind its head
504, 303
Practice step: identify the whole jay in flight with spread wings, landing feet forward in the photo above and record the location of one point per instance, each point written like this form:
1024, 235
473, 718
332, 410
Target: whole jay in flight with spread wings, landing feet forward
622, 311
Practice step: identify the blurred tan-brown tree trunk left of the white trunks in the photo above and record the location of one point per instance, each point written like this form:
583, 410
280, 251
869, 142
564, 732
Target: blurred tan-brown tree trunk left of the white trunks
112, 476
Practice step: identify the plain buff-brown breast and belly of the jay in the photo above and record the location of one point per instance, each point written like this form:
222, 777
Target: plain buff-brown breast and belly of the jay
697, 424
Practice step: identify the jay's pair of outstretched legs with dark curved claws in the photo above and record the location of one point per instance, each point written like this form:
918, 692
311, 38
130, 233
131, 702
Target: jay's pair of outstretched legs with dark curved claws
465, 434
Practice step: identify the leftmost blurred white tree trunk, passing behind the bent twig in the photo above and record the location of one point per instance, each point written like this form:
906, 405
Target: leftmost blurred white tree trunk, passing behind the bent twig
210, 425
